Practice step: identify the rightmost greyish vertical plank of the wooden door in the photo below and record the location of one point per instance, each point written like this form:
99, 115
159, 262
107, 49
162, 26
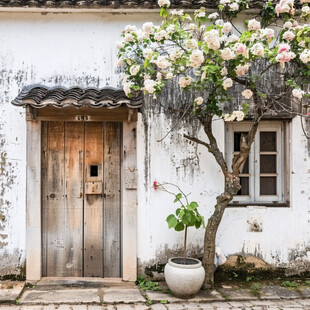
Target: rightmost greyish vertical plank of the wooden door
112, 201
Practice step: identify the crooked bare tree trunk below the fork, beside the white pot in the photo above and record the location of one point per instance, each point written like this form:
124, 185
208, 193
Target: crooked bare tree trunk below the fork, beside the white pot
232, 187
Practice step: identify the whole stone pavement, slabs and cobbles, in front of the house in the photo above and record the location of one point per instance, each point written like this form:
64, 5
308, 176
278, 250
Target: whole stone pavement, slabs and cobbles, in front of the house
94, 294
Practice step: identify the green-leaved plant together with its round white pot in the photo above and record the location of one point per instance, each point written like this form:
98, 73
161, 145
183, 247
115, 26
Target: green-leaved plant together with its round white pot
184, 276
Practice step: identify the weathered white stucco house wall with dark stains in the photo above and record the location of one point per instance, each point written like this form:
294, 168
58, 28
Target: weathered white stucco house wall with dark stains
78, 49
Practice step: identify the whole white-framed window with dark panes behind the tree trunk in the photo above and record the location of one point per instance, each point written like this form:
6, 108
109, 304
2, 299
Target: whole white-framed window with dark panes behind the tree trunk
263, 176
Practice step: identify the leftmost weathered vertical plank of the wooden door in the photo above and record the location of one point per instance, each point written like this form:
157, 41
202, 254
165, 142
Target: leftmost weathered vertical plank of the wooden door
53, 198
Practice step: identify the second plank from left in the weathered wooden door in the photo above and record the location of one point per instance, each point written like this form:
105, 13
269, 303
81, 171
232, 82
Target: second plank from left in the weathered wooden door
74, 160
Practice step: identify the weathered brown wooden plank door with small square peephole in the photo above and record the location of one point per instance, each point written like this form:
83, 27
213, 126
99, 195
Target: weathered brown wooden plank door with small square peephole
81, 199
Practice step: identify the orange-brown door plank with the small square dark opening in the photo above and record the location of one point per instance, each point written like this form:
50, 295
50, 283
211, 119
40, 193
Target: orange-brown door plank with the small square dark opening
93, 203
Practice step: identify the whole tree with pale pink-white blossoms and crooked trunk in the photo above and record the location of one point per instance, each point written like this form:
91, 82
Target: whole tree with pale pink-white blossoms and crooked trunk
208, 56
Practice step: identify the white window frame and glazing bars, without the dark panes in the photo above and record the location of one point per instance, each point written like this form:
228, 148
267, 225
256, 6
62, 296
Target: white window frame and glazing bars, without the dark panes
254, 162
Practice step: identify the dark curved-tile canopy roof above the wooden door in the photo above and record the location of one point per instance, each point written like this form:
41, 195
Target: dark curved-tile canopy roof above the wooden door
39, 96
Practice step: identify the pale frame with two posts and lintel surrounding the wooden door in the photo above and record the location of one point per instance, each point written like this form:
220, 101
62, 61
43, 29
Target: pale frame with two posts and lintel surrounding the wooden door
128, 190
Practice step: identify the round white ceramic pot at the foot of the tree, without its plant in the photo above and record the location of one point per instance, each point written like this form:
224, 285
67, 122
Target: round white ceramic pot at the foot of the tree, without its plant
184, 280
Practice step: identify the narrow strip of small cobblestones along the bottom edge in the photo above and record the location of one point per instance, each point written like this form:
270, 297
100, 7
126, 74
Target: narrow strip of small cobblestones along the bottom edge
233, 305
